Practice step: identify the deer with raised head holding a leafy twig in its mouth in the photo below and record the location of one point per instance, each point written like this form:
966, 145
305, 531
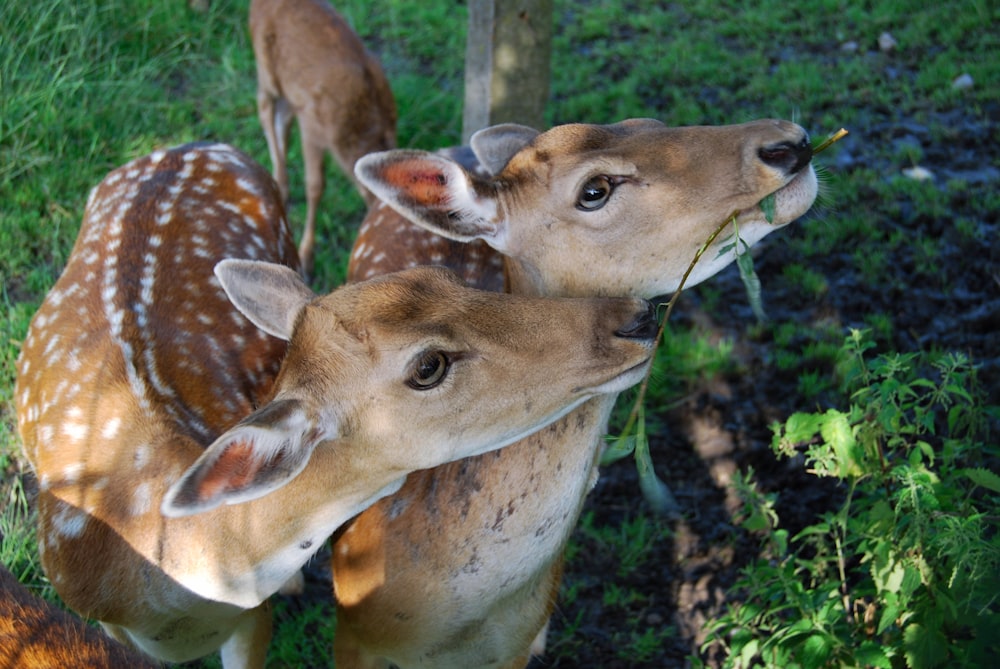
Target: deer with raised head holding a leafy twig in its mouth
460, 568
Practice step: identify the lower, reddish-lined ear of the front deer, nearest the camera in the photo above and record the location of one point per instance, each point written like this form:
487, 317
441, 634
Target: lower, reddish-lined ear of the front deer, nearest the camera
259, 455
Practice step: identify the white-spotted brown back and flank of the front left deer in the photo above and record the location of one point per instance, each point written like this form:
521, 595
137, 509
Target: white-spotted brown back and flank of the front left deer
136, 360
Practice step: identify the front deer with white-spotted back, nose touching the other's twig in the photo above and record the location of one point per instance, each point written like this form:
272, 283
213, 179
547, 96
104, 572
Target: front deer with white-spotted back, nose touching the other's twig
199, 421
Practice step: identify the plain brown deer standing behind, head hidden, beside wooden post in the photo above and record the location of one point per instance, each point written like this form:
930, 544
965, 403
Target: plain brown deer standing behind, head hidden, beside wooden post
311, 66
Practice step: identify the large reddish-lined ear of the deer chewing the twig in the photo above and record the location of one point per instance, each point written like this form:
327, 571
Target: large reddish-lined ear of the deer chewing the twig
433, 191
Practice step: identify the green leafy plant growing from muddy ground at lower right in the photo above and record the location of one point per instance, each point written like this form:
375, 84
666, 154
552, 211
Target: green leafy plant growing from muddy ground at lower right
905, 573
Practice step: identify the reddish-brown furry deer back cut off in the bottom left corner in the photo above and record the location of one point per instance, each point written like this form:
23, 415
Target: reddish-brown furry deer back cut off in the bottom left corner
35, 633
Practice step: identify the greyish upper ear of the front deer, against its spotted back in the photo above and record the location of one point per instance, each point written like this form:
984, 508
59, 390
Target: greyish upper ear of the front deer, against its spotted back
269, 295
